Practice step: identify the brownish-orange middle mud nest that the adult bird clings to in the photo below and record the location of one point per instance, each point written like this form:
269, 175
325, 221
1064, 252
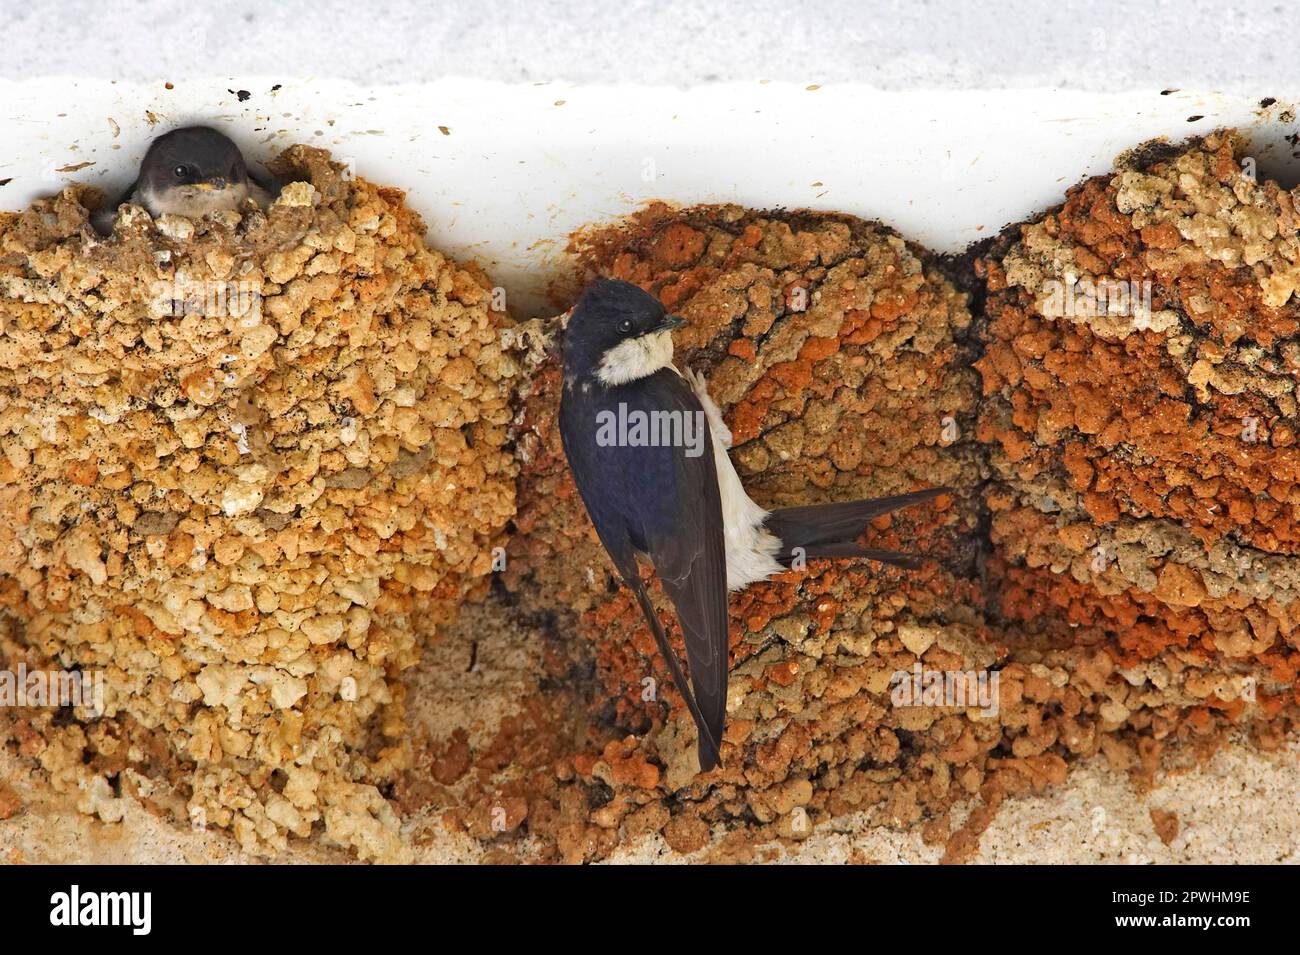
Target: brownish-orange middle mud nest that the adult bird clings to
842, 361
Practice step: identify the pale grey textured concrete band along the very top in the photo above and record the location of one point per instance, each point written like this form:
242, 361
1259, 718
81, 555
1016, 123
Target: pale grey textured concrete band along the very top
947, 45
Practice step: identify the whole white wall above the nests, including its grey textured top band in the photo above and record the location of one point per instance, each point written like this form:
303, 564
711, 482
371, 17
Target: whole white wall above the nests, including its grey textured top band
942, 123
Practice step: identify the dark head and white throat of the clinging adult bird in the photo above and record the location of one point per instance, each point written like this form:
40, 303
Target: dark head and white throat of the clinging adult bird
618, 333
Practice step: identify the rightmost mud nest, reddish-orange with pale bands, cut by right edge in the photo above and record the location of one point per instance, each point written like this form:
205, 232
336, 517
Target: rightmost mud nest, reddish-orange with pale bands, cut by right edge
1149, 485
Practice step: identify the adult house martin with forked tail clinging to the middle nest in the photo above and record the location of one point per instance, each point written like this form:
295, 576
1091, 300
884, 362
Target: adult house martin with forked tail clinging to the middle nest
648, 449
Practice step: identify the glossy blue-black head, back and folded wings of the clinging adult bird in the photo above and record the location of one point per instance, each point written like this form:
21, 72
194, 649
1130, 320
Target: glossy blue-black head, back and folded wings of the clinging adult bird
660, 501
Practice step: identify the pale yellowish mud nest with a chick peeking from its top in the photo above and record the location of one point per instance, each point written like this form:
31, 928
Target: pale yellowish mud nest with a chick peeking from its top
249, 466
